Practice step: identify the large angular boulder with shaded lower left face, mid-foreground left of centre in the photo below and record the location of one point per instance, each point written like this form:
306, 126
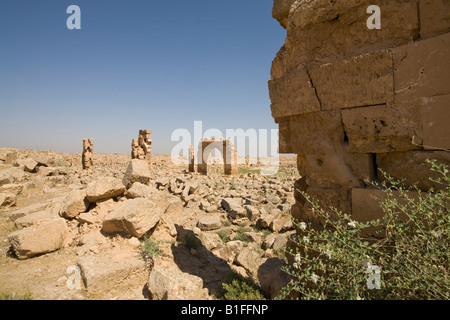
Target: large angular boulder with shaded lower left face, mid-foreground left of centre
133, 216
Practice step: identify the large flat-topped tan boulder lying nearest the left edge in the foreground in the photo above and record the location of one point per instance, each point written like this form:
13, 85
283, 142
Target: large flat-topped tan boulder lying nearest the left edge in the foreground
39, 239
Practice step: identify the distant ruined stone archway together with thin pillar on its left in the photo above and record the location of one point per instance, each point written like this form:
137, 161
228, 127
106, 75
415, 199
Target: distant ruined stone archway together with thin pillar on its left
206, 146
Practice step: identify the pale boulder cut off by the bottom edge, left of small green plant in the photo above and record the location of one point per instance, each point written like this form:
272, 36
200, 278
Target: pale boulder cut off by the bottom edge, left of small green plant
172, 284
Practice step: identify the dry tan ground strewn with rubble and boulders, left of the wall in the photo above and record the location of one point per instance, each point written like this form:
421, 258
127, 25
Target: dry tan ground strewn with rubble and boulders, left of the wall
68, 233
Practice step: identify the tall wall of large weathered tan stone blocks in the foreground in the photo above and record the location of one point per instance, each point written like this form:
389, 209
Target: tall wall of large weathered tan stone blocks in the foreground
350, 100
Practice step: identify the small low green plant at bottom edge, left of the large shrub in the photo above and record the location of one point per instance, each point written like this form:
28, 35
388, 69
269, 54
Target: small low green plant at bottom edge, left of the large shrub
236, 287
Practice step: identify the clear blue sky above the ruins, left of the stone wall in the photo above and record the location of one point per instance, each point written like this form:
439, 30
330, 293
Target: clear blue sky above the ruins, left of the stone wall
135, 64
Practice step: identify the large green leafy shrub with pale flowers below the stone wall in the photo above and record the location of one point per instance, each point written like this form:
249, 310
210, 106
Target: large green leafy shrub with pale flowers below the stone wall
408, 258
